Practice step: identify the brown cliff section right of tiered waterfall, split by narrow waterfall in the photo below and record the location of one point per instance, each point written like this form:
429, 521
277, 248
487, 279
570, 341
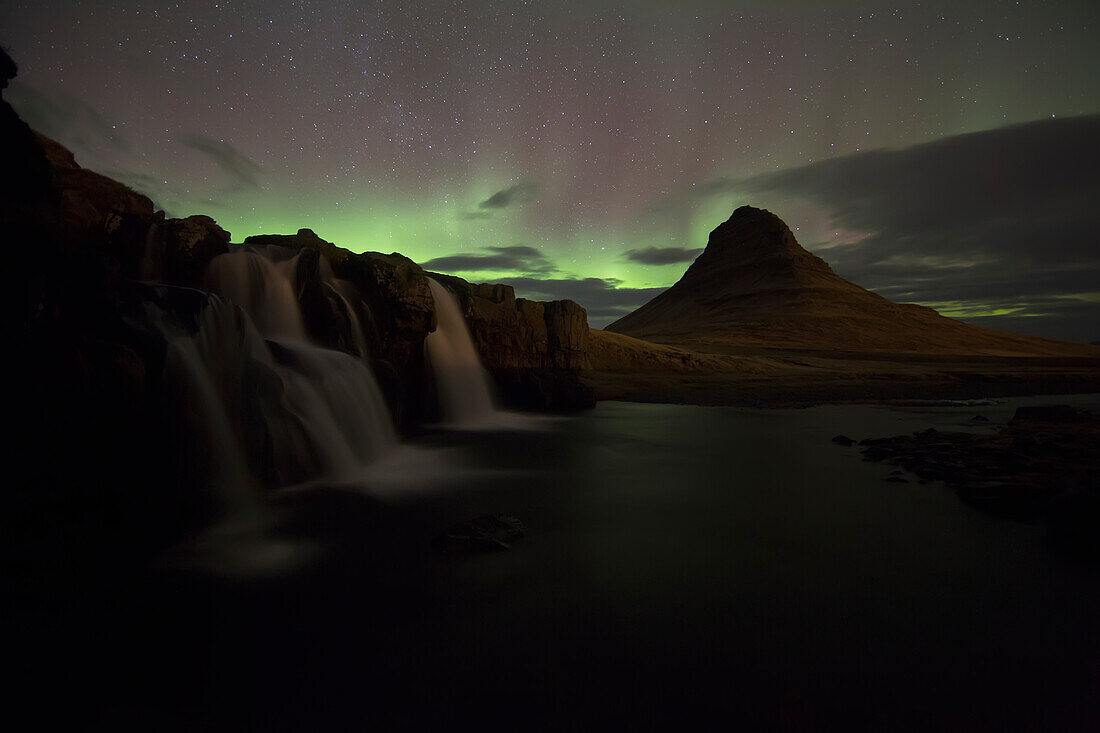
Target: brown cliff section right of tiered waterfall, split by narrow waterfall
534, 351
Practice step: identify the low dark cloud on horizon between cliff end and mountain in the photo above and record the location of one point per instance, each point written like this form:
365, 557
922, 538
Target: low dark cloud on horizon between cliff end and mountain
603, 298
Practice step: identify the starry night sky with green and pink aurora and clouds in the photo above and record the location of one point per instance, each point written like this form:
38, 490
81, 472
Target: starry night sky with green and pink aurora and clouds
942, 154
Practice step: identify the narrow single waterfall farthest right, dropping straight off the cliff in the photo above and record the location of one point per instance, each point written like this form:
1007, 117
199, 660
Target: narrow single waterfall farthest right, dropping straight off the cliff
465, 387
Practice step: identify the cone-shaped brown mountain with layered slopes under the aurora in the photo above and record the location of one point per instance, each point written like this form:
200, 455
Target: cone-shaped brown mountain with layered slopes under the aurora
755, 287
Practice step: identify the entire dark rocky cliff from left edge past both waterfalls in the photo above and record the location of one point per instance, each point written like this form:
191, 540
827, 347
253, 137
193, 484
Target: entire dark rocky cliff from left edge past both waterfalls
533, 349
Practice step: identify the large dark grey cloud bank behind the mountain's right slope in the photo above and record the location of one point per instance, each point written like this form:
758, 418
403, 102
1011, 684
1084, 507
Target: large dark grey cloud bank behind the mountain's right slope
999, 217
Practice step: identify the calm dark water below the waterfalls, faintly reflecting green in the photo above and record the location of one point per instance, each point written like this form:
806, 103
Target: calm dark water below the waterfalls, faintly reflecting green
684, 566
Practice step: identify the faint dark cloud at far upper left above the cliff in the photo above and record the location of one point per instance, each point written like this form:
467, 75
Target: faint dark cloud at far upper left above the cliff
68, 119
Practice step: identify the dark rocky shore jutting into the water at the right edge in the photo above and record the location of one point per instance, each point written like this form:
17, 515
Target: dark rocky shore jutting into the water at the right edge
1043, 466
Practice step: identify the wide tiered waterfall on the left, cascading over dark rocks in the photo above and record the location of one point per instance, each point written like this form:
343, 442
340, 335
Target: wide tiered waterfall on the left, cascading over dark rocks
312, 412
